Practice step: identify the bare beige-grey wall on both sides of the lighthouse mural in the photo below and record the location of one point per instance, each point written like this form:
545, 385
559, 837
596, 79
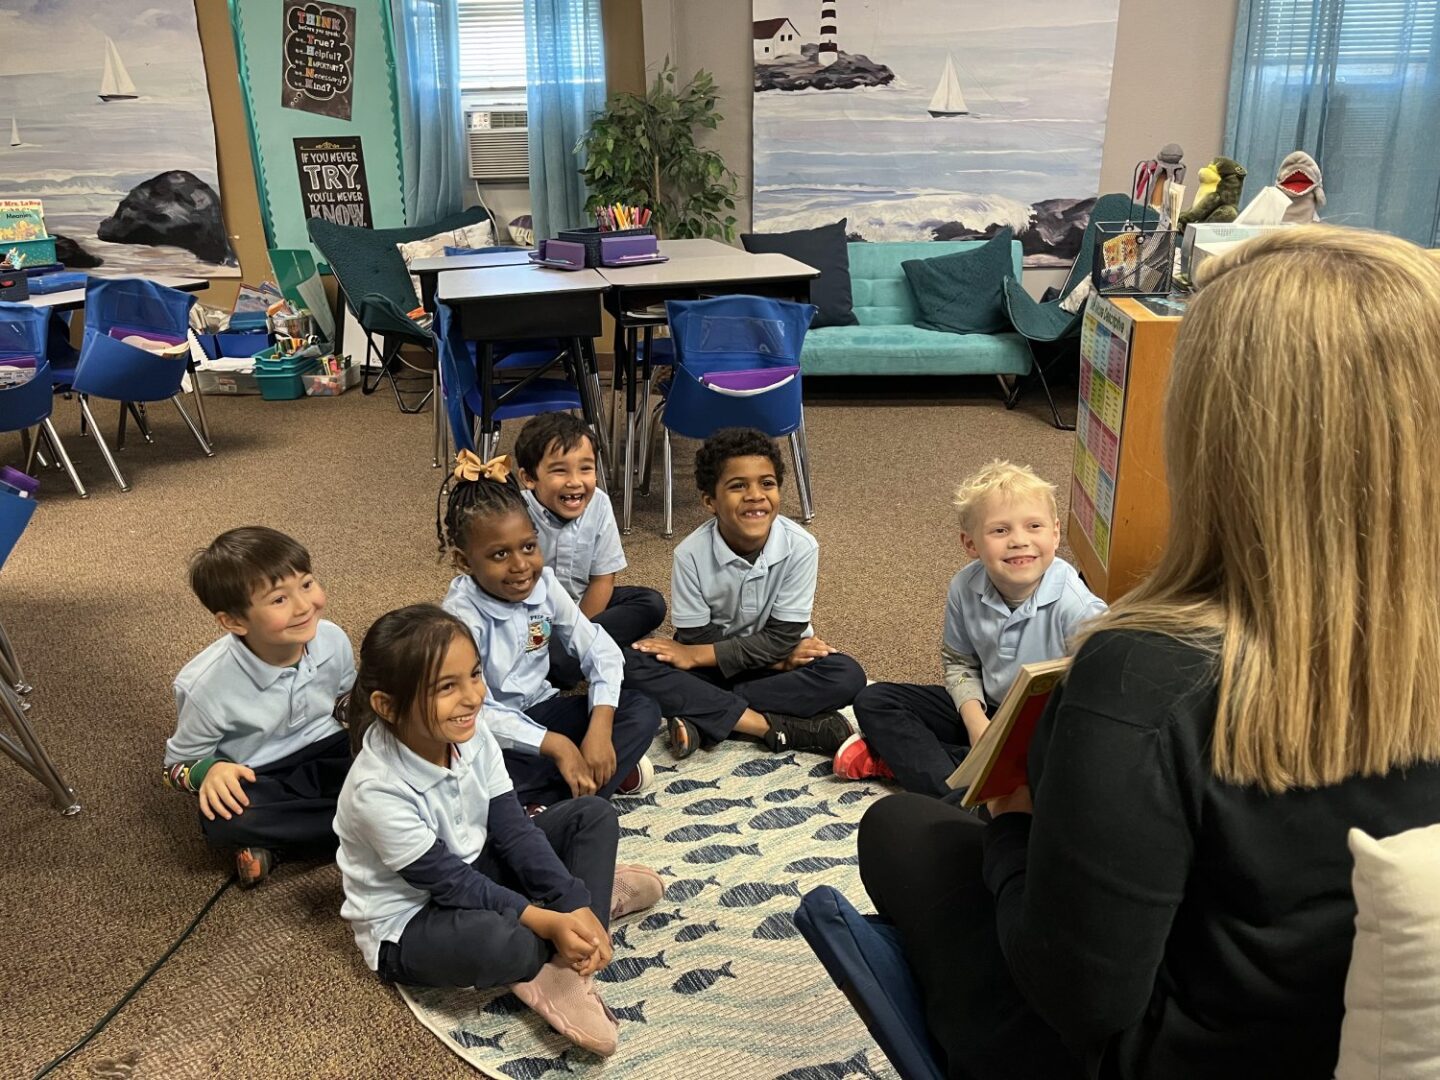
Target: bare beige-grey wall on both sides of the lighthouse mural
1170, 83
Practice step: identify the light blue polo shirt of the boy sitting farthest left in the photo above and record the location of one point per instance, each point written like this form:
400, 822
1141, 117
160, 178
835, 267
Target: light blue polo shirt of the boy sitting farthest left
235, 706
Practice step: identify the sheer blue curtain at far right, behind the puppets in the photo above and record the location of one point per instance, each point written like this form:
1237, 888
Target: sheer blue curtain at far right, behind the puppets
1357, 86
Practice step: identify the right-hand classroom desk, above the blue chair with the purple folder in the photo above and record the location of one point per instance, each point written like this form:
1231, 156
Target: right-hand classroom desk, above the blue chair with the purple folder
696, 269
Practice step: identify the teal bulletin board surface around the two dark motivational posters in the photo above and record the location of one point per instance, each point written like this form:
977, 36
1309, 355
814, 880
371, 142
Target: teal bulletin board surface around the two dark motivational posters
374, 117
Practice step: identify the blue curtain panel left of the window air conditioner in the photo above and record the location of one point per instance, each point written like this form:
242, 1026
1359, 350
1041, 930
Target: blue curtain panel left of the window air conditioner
433, 139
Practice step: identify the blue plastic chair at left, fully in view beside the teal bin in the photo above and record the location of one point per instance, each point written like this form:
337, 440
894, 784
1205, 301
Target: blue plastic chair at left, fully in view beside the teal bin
123, 374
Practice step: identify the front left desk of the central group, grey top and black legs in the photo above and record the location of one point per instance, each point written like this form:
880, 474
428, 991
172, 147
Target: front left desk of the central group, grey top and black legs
529, 303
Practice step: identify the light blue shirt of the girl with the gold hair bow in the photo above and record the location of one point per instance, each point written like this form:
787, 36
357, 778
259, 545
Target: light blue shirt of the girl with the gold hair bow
515, 650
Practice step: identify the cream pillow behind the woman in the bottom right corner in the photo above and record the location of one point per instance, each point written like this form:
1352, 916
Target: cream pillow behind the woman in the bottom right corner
1392, 1025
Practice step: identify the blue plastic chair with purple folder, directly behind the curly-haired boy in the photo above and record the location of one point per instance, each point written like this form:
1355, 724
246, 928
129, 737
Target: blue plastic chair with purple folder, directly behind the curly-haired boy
738, 366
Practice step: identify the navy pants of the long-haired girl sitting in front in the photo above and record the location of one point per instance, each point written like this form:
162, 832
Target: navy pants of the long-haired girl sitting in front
451, 947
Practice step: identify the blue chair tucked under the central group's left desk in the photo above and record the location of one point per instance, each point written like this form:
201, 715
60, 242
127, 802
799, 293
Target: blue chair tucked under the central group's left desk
466, 405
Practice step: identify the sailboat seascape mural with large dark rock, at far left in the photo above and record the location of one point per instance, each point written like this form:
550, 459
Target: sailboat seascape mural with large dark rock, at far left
113, 132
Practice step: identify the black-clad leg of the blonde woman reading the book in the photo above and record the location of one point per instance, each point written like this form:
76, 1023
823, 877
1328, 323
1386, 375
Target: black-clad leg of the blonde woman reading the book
921, 863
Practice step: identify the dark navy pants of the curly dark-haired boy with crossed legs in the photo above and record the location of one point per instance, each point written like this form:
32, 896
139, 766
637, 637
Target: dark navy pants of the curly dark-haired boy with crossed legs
715, 703
